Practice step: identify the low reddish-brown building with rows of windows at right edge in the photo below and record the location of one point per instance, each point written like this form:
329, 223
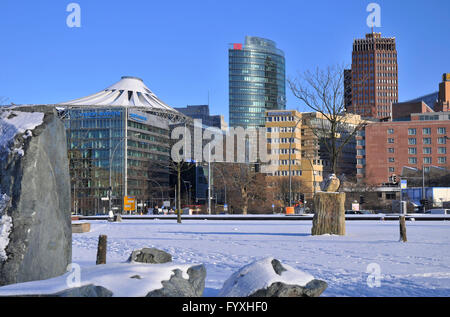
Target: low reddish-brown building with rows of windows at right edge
417, 138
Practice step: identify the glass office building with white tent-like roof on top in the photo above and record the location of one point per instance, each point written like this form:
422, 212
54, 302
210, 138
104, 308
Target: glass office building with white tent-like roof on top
119, 145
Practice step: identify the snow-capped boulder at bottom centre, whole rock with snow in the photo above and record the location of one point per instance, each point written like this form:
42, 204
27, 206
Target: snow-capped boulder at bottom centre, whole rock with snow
269, 278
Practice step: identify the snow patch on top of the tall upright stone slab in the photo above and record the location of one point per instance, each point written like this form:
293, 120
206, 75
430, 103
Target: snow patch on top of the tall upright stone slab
13, 123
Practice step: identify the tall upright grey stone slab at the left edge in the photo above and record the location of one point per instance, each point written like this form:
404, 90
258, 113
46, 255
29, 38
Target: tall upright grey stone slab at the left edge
38, 184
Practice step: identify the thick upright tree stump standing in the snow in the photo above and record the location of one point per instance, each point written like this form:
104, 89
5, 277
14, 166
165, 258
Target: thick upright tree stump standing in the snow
329, 213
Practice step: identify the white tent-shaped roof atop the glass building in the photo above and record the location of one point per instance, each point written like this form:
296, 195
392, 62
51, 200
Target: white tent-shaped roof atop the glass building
128, 92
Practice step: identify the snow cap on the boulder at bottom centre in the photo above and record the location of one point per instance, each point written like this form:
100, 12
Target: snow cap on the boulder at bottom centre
260, 275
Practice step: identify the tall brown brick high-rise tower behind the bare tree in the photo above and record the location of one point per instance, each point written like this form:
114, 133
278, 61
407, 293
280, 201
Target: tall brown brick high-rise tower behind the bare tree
374, 77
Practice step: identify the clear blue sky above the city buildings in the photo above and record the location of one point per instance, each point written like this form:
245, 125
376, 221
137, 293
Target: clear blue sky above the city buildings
180, 48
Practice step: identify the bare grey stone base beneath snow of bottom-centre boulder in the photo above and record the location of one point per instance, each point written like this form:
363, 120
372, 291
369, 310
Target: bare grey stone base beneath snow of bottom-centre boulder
278, 289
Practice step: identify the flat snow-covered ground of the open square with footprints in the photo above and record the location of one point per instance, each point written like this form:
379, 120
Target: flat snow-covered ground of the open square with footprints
420, 267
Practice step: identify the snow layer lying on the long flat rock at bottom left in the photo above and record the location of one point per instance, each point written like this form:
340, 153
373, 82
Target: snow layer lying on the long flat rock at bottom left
122, 279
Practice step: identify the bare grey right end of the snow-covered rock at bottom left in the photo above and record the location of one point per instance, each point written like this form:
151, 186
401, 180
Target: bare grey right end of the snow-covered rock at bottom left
178, 286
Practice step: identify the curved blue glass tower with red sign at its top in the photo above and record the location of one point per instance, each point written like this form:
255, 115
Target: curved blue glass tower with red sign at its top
256, 81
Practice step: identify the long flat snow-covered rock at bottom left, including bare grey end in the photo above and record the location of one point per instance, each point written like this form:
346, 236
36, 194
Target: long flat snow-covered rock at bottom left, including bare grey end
118, 280
